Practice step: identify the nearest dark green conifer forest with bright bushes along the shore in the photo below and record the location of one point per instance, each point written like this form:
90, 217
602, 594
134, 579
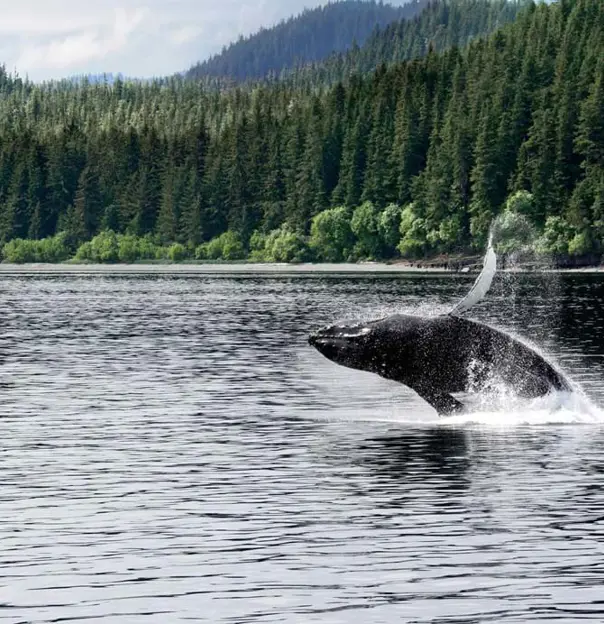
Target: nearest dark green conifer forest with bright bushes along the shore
414, 159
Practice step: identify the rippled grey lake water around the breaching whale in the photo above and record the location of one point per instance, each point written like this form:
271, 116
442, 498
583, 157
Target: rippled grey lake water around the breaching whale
172, 450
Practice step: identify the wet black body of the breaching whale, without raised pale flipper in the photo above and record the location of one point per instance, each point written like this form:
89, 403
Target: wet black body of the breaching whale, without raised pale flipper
439, 356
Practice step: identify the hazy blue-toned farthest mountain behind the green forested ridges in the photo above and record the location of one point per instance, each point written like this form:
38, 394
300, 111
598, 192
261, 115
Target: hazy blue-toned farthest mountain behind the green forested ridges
309, 37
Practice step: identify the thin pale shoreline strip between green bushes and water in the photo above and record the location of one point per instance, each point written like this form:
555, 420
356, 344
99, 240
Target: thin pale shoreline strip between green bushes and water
265, 268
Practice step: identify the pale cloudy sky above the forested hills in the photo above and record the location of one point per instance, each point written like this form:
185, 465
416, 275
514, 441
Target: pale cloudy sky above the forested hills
47, 39
